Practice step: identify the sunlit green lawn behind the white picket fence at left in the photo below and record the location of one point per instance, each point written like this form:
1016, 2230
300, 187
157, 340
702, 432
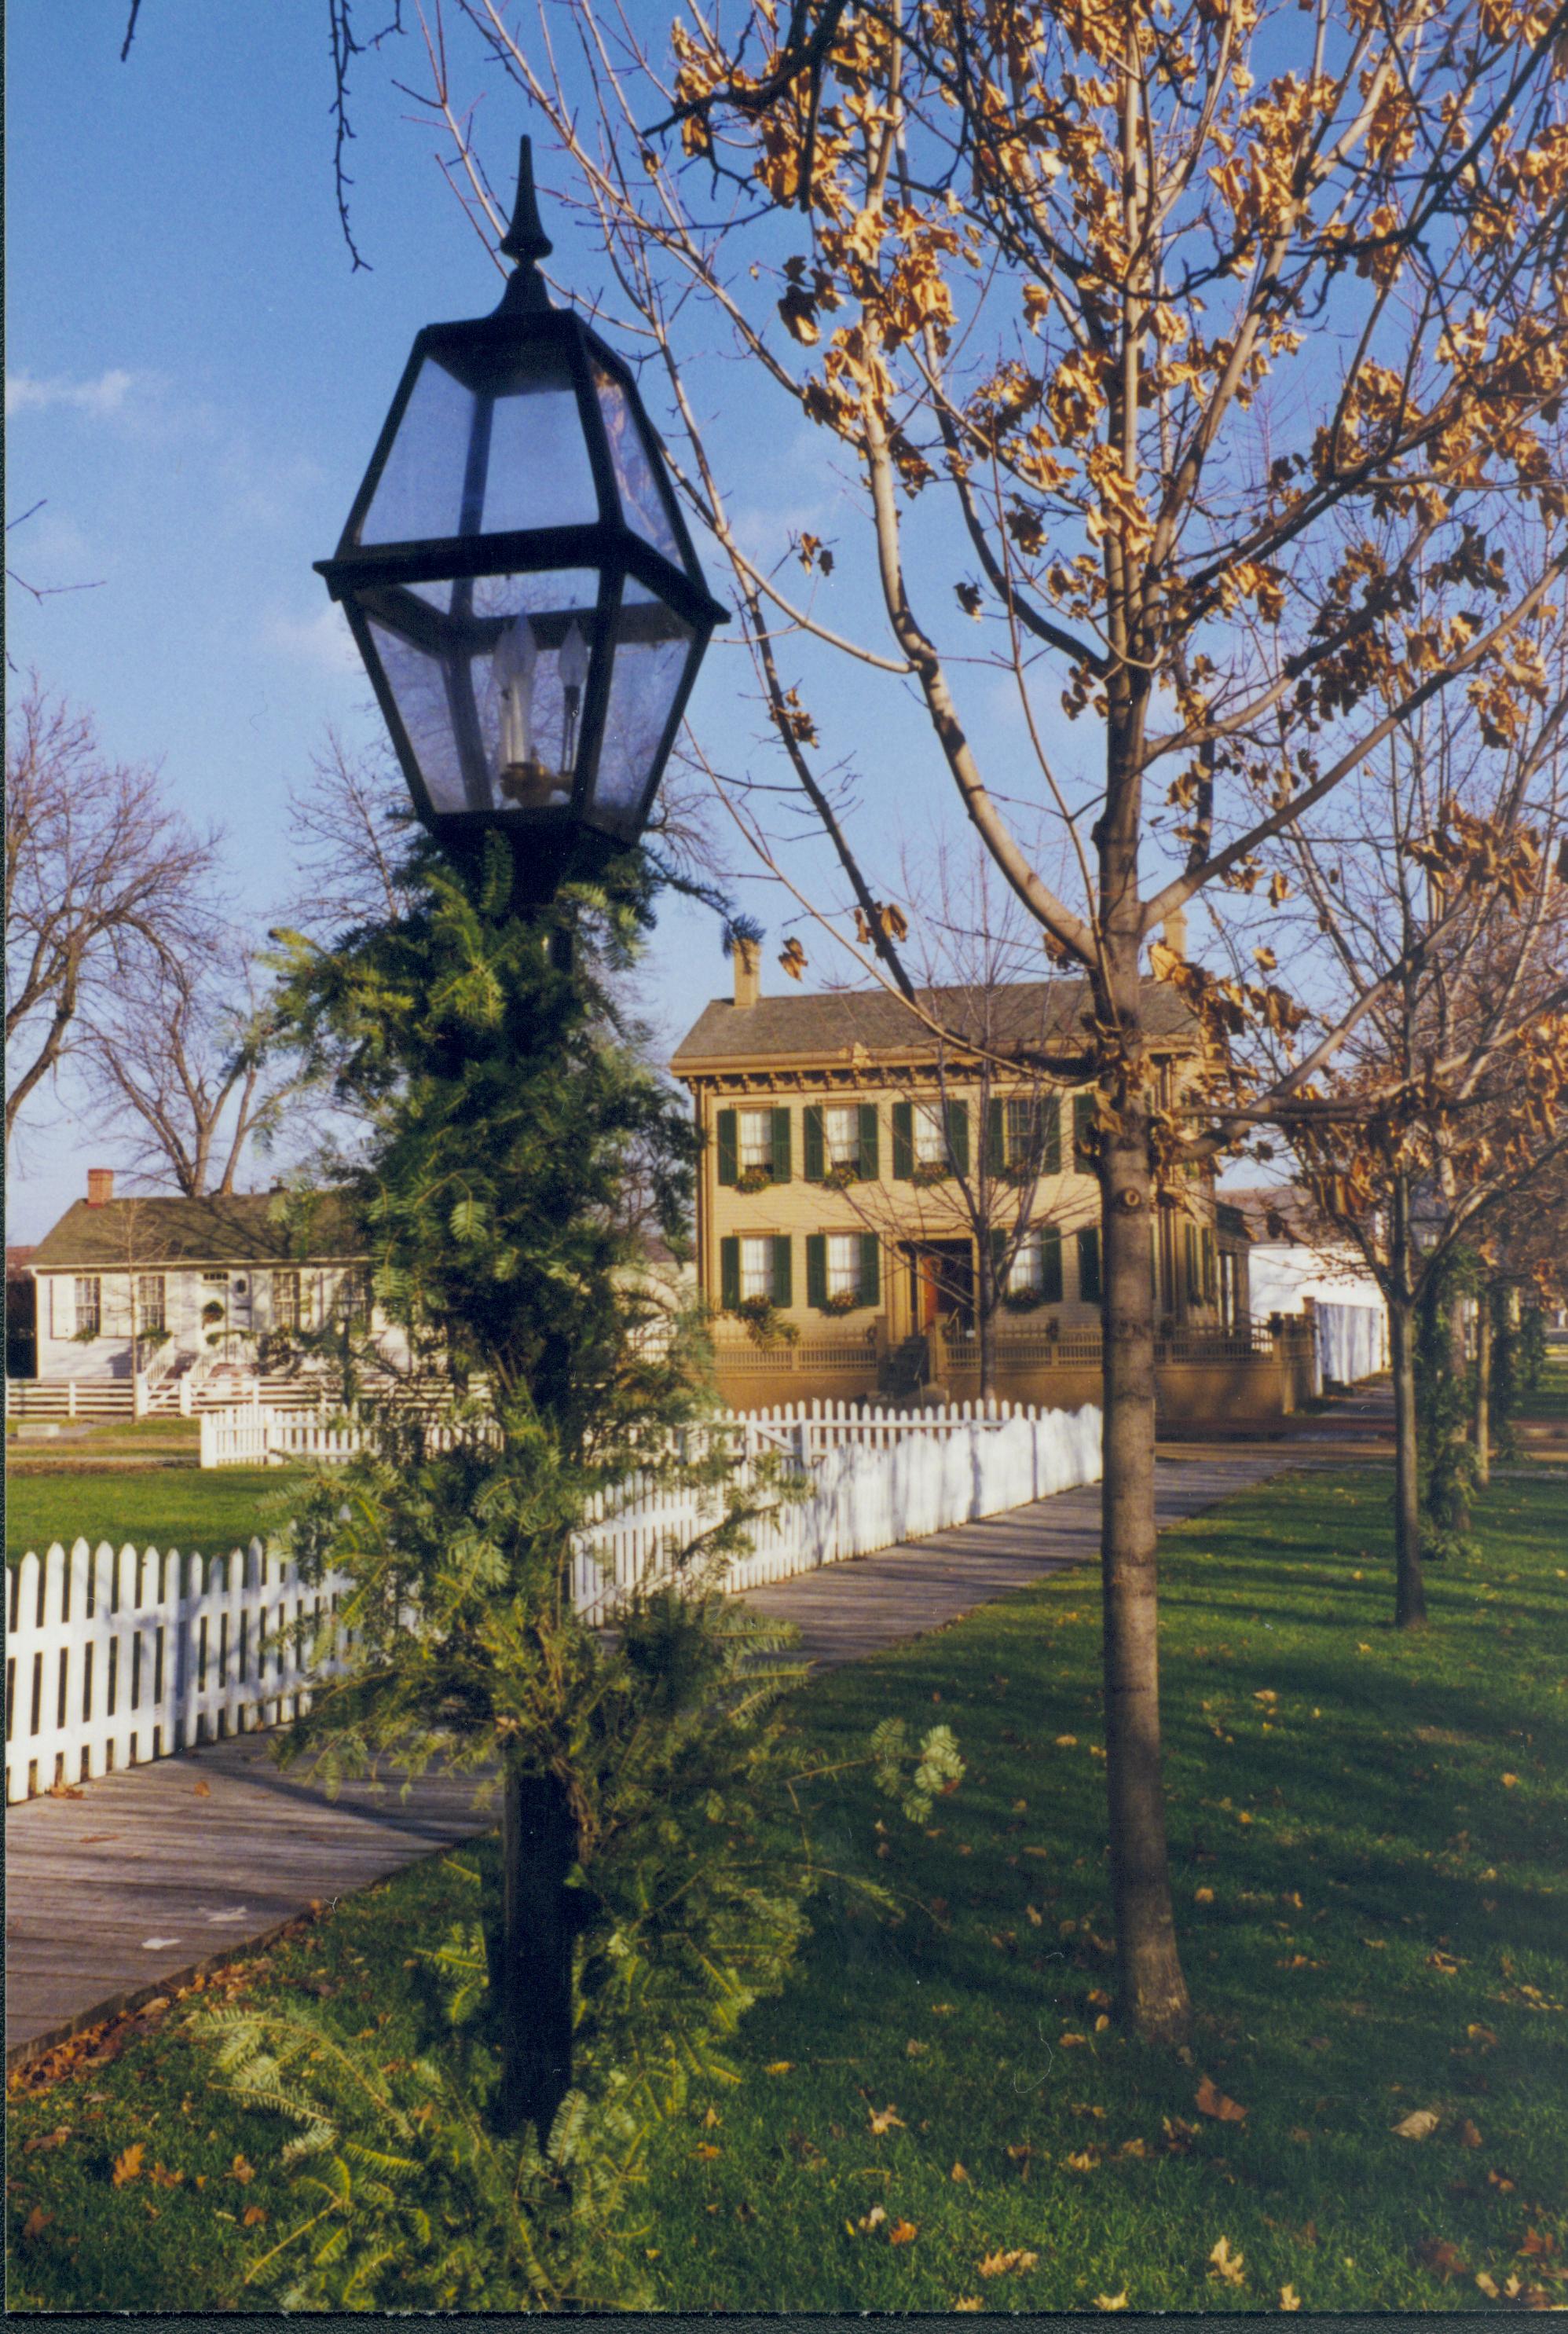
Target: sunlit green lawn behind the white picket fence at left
143, 1507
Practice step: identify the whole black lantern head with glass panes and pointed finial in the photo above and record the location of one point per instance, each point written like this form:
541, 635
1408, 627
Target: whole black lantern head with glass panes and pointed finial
521, 582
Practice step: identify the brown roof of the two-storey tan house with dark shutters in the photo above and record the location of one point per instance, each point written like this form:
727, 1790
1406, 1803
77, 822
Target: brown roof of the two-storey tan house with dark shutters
1023, 1016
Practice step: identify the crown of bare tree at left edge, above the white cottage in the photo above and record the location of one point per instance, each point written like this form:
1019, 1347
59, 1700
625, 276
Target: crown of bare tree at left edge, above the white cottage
101, 883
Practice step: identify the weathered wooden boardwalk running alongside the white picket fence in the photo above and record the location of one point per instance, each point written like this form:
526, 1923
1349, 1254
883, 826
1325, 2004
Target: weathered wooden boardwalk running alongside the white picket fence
167, 1868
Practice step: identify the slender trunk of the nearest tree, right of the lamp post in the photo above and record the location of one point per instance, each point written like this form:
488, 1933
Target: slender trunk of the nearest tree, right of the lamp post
1154, 1994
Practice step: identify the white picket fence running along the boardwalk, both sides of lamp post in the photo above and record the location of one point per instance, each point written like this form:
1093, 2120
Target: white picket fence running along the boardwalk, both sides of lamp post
125, 1658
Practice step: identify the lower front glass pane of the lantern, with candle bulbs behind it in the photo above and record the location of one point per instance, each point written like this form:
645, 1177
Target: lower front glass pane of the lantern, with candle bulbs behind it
493, 687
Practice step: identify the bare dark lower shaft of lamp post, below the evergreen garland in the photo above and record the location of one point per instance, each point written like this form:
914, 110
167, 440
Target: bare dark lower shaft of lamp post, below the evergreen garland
533, 1957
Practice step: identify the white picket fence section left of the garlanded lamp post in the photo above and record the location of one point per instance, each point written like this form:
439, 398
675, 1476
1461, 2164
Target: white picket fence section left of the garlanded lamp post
125, 1658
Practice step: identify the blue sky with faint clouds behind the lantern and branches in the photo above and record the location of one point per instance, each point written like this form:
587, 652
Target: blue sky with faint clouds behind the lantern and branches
195, 382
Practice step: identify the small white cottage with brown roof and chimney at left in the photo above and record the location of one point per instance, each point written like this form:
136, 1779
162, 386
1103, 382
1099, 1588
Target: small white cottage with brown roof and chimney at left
157, 1290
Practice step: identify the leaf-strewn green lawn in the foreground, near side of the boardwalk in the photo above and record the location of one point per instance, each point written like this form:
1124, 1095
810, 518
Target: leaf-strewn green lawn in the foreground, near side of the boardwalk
1368, 1854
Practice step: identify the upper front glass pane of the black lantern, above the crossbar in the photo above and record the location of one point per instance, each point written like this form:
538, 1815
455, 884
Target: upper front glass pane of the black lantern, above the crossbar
484, 459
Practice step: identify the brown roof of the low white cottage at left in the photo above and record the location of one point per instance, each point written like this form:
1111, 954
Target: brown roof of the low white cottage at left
246, 1229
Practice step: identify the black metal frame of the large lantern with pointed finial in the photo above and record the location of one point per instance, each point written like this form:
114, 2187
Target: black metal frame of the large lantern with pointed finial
374, 580
